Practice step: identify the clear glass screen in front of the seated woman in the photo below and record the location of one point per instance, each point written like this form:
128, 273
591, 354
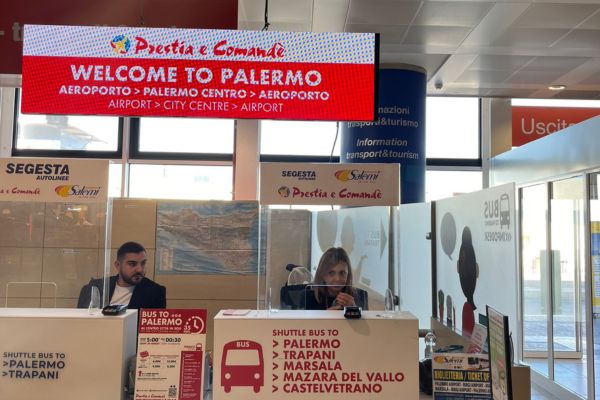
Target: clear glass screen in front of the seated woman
298, 241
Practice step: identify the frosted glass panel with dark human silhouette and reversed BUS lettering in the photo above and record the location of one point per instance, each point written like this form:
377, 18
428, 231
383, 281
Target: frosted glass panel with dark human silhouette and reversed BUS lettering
476, 255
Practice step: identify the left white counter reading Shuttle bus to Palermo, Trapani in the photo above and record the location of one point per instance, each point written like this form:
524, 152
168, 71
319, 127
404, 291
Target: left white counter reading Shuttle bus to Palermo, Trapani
65, 354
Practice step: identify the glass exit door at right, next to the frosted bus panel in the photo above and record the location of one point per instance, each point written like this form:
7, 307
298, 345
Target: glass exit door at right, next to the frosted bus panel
554, 281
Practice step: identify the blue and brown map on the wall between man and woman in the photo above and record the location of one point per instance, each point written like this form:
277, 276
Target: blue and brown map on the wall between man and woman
210, 238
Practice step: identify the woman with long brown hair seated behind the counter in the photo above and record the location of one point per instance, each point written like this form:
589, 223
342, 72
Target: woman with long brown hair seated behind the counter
332, 286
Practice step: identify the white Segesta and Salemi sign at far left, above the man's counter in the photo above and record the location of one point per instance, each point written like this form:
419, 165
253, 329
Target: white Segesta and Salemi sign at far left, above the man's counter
53, 180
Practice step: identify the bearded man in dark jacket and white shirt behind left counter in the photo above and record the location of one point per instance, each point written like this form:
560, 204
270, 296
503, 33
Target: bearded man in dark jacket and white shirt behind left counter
129, 286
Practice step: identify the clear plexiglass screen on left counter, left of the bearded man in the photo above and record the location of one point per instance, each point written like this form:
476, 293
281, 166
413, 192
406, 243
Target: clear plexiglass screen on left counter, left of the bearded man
50, 251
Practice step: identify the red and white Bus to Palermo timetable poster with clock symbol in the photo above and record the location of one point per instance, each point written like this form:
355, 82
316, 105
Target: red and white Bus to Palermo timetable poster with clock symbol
171, 351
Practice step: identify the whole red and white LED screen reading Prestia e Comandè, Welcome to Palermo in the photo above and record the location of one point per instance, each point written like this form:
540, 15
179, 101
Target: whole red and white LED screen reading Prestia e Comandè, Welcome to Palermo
199, 73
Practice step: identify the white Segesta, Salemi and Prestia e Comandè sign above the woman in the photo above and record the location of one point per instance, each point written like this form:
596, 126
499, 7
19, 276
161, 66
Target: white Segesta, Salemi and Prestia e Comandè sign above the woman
324, 183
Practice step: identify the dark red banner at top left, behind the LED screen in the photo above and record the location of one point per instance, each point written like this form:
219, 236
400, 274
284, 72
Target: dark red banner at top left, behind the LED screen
155, 13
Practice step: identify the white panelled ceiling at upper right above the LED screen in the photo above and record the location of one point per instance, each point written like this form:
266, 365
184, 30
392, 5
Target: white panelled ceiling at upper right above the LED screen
472, 48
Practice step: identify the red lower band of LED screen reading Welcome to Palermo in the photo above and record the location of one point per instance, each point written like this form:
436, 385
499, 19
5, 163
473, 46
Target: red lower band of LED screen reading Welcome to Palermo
184, 88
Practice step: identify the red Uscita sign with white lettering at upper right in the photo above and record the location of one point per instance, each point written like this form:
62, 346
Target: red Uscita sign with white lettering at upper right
532, 123
